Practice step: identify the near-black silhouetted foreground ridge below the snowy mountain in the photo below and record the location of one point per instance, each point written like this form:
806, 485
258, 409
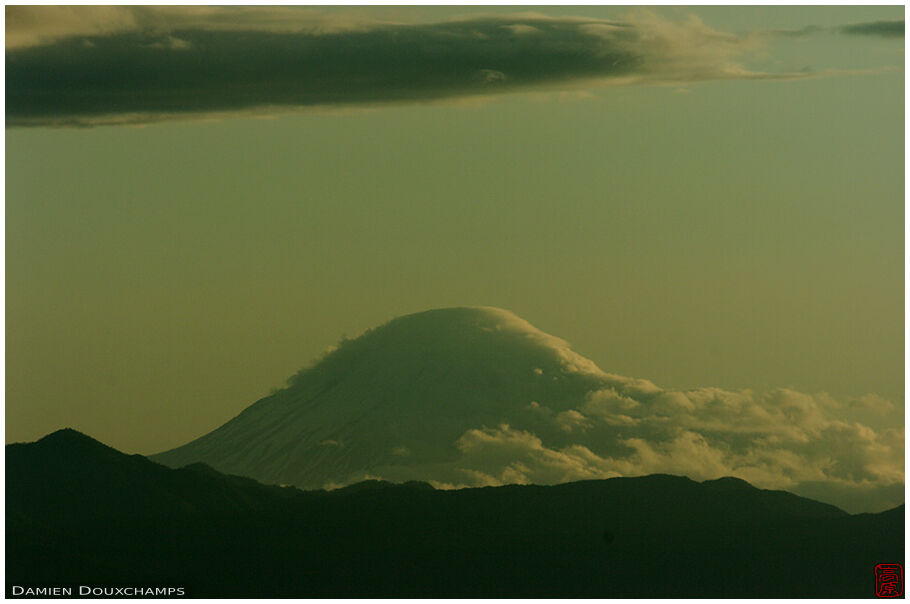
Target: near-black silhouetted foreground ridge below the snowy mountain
81, 513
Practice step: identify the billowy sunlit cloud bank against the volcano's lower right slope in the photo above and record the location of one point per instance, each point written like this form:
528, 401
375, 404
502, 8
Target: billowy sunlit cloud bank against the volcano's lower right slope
782, 439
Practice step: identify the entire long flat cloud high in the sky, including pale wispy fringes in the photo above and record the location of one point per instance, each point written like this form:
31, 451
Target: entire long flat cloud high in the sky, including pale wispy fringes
113, 65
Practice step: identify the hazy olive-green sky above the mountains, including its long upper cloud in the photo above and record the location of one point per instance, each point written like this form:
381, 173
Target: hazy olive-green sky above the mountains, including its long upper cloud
698, 203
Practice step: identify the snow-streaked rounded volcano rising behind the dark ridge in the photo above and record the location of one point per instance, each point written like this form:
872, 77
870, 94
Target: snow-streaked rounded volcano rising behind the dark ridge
397, 402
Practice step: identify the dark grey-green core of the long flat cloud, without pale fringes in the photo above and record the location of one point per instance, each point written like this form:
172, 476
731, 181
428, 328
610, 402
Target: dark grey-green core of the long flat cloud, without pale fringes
197, 70
